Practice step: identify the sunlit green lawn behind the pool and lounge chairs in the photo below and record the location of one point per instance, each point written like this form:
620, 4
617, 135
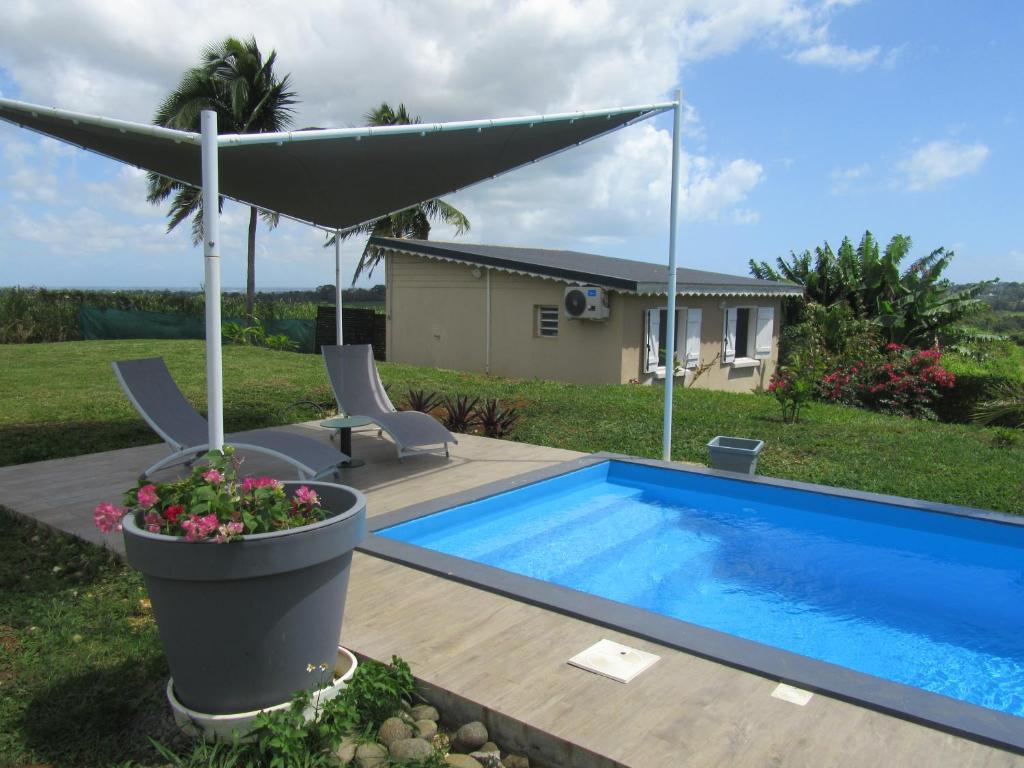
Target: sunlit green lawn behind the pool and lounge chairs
62, 400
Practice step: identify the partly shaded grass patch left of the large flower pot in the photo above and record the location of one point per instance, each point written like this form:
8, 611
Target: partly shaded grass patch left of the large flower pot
81, 667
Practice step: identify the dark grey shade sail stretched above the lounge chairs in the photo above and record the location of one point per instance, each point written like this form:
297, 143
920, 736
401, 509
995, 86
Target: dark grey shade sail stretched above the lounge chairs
335, 179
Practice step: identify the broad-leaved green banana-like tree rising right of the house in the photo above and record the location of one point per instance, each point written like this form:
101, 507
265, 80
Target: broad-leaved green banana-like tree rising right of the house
910, 308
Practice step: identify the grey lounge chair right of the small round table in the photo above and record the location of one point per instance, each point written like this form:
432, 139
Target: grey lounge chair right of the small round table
359, 392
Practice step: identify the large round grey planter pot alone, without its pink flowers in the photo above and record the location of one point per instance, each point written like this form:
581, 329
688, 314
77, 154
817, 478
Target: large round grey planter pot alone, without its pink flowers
242, 621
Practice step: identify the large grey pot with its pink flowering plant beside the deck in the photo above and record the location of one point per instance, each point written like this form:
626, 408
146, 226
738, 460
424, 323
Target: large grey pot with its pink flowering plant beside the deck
247, 578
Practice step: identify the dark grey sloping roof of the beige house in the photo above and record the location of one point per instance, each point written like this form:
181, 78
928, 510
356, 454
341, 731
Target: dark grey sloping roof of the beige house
590, 269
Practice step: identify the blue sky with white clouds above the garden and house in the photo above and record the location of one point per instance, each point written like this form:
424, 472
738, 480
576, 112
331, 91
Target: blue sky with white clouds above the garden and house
804, 121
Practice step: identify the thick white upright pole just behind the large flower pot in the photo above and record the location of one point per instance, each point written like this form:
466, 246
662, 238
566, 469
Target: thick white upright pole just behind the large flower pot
211, 252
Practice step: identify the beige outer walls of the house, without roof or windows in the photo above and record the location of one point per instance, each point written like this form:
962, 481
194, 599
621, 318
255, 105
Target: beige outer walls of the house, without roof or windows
438, 317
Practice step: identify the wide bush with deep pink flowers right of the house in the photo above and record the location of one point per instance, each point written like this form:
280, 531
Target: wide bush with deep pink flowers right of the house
905, 381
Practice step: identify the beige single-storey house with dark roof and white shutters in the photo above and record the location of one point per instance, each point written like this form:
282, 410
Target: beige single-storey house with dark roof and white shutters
529, 313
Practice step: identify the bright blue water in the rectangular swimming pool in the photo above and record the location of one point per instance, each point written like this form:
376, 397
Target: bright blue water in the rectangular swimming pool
931, 601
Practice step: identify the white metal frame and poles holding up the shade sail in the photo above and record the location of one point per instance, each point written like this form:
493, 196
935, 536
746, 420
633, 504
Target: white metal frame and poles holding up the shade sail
212, 144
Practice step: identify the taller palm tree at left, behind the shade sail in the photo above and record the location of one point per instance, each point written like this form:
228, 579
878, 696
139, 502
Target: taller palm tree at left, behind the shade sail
241, 87
